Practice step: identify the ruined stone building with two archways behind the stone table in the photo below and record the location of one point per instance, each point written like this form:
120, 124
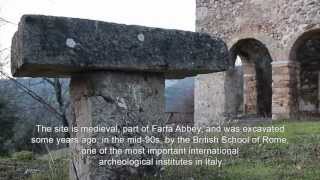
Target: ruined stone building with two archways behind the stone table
278, 43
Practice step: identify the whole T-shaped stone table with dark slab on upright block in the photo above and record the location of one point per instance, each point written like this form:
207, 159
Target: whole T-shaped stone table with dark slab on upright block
117, 77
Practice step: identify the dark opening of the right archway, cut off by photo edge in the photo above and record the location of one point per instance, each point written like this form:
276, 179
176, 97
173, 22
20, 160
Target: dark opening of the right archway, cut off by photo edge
305, 51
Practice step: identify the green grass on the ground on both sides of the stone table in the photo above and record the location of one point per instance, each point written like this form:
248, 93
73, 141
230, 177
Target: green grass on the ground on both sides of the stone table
297, 160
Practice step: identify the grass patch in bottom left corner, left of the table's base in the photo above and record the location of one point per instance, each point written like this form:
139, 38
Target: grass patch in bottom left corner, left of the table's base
25, 166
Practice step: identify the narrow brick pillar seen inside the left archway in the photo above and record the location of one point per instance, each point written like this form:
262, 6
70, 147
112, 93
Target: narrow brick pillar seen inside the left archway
249, 89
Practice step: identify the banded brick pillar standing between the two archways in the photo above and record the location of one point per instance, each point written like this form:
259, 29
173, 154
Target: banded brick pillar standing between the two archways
285, 77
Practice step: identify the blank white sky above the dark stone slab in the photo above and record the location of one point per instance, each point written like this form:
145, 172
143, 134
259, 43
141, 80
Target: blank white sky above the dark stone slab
171, 14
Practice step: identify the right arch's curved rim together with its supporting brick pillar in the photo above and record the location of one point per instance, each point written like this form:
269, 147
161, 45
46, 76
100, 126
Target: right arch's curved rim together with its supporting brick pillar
287, 82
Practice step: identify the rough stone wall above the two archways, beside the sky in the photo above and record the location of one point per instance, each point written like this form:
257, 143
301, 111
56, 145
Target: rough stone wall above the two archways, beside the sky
276, 23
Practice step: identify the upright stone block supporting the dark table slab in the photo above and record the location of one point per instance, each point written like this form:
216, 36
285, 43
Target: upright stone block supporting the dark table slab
110, 99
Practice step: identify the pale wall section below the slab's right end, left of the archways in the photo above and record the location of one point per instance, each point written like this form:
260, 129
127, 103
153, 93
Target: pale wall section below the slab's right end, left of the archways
218, 97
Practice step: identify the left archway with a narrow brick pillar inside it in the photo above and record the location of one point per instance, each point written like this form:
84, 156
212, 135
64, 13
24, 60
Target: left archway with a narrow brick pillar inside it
257, 76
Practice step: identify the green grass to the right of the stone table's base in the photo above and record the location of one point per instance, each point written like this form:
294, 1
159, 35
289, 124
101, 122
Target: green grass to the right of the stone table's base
297, 160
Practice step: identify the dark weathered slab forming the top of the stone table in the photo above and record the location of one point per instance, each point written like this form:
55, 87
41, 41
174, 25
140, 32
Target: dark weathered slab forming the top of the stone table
56, 46
